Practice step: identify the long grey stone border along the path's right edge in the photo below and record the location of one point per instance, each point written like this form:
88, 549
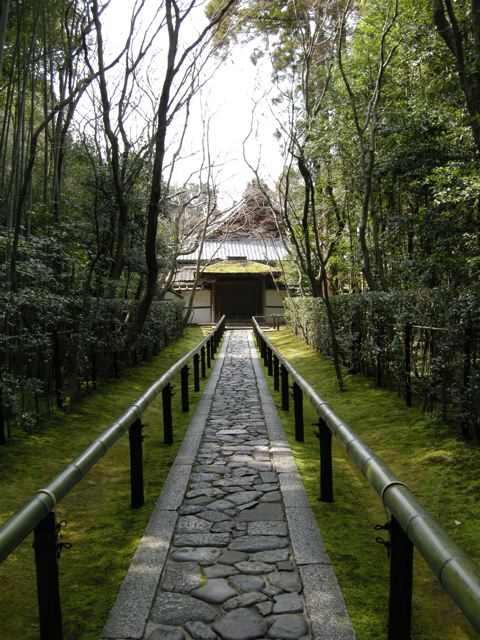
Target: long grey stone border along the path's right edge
324, 602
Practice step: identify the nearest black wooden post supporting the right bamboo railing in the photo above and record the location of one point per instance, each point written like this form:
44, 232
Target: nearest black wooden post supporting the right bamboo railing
401, 580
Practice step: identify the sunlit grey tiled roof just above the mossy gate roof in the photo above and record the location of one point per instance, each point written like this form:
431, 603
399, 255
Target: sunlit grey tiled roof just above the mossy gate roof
257, 250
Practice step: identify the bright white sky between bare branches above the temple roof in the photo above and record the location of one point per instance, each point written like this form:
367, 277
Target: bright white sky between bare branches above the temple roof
237, 90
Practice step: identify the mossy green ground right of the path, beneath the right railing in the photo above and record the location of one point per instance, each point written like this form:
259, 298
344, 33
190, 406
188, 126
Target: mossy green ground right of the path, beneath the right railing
439, 467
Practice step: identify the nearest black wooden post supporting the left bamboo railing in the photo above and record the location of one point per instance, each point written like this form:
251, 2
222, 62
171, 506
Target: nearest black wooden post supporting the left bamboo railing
45, 540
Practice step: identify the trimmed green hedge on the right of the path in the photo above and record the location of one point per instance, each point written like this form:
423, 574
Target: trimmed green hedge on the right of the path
425, 344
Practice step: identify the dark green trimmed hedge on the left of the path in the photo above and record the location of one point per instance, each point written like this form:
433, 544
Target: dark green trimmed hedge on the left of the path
63, 346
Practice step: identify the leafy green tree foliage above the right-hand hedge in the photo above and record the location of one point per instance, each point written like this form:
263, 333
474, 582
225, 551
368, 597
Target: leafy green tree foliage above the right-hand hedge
421, 212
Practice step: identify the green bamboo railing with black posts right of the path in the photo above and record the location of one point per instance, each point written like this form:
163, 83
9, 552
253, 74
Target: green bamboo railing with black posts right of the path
410, 525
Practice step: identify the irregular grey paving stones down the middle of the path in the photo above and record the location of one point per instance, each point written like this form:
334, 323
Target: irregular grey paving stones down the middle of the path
229, 572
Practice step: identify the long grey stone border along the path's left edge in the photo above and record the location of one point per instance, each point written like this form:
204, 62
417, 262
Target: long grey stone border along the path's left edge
129, 615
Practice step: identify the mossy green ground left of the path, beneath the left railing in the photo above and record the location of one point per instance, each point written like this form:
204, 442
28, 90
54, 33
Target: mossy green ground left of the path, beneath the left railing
101, 527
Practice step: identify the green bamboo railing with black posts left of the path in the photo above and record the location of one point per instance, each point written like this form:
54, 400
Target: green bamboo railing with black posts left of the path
38, 514
